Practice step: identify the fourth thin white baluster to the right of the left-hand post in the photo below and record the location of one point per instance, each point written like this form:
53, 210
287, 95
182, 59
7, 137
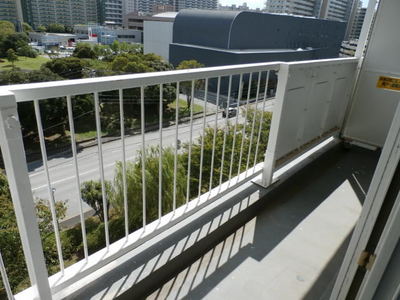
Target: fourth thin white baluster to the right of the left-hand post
125, 187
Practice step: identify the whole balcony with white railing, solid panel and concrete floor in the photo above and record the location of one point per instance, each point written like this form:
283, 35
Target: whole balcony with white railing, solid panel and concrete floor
264, 214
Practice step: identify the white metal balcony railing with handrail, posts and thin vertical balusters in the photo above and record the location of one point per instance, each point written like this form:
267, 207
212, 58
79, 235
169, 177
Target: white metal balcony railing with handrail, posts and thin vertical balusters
66, 88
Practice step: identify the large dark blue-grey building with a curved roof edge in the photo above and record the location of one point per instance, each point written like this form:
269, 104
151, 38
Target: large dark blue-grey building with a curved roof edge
222, 37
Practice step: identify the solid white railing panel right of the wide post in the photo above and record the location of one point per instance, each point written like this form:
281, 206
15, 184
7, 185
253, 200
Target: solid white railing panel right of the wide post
313, 105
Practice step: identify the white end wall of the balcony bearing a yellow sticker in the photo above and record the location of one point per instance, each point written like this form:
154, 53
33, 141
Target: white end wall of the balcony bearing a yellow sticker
373, 108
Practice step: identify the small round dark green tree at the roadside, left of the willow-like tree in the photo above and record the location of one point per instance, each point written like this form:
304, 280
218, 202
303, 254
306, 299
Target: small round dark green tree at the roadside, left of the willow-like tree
92, 195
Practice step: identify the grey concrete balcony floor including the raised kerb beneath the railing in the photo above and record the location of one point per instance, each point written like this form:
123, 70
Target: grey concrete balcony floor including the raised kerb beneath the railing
285, 244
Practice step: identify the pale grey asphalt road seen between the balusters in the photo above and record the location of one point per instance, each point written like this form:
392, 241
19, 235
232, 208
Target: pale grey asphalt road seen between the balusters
61, 168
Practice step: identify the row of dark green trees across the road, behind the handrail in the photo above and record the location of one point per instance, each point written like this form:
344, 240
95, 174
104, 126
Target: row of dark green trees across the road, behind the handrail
119, 60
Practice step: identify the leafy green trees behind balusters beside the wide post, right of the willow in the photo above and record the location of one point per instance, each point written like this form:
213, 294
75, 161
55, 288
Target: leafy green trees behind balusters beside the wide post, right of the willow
237, 166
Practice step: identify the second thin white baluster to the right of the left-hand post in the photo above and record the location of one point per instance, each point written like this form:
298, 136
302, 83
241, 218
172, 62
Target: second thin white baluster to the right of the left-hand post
78, 184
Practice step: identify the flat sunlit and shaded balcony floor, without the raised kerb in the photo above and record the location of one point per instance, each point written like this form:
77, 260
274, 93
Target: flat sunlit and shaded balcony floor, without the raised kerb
293, 248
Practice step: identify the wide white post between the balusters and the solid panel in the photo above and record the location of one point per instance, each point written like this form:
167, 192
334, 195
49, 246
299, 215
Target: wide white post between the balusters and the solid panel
270, 154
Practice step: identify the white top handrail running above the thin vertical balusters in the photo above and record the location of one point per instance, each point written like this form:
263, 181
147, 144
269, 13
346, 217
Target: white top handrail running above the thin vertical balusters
54, 89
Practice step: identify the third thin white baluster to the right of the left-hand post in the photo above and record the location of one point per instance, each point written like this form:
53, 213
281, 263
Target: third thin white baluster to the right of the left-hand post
101, 168
